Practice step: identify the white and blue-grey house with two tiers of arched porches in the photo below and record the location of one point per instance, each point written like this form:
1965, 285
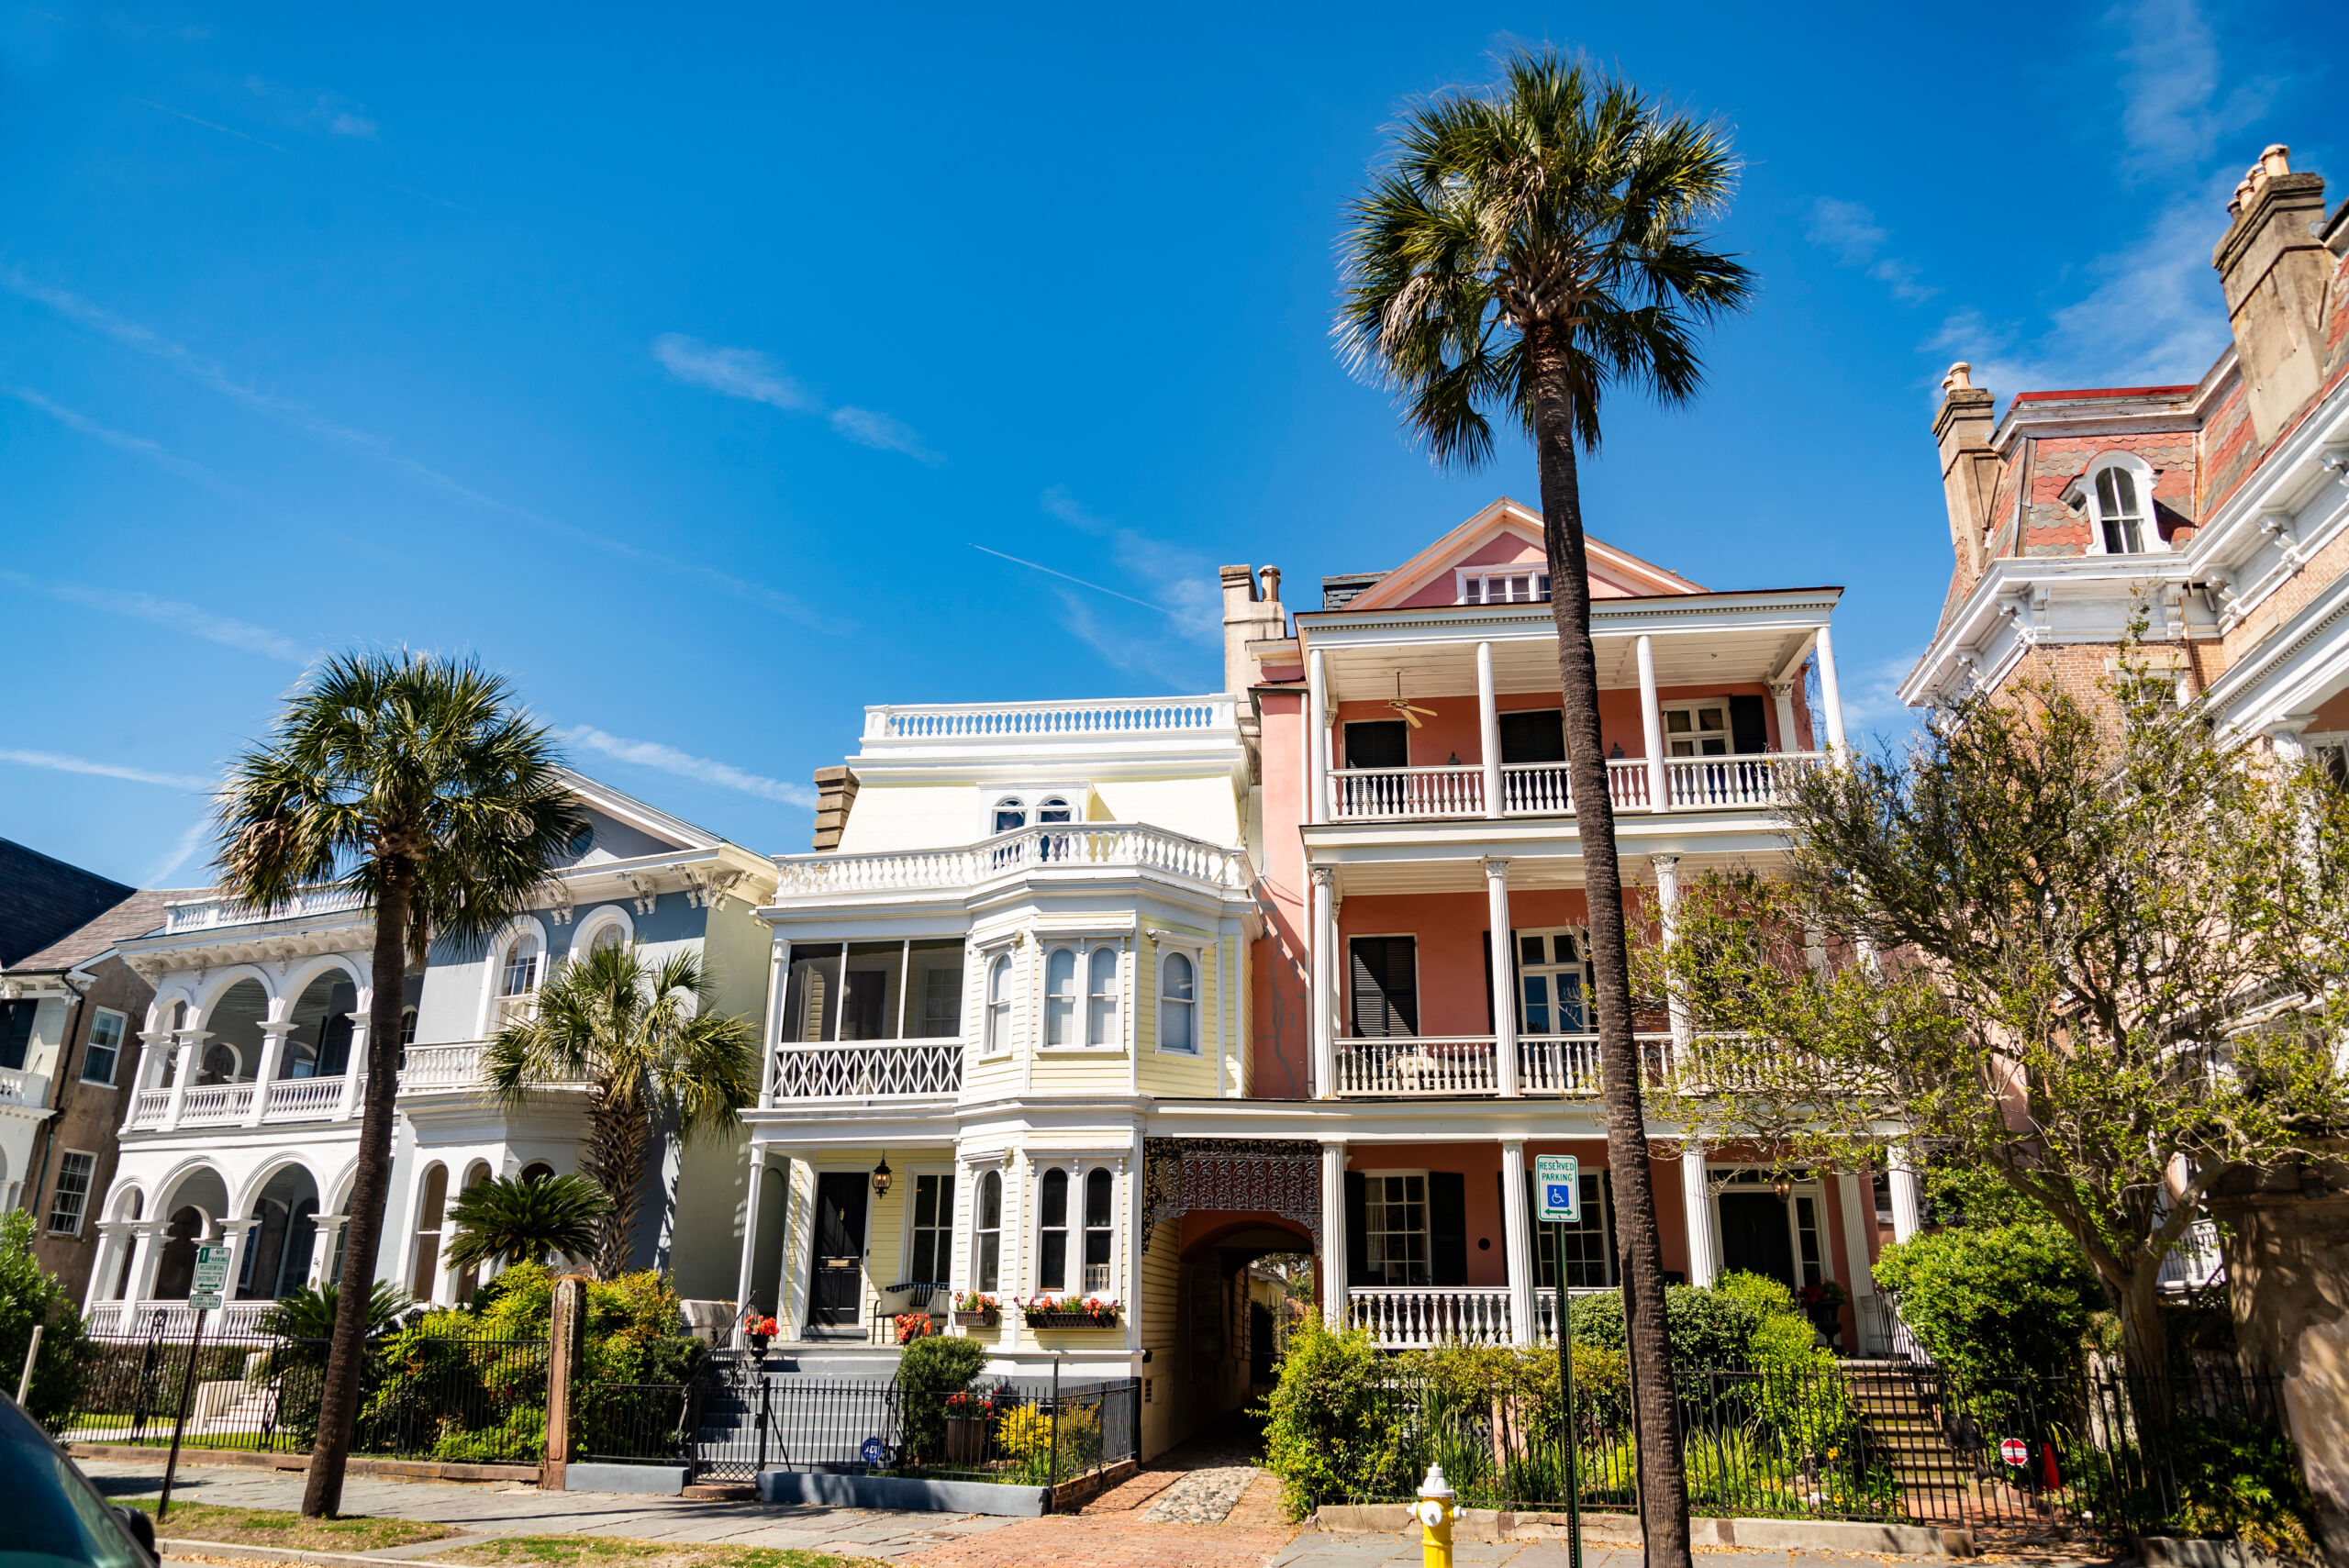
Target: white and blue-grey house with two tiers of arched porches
245, 1121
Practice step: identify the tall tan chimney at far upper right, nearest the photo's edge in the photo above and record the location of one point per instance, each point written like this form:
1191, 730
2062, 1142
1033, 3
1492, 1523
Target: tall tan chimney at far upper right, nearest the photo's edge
2275, 273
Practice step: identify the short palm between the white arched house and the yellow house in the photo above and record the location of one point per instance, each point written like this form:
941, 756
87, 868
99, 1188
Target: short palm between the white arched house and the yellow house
638, 1036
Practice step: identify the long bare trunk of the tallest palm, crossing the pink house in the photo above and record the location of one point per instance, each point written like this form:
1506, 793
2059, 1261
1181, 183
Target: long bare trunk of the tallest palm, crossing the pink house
1664, 1485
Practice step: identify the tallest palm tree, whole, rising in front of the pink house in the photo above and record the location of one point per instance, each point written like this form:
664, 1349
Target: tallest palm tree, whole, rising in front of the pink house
1528, 250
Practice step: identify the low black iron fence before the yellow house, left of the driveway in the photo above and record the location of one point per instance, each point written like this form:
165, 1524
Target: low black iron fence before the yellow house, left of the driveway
1011, 1433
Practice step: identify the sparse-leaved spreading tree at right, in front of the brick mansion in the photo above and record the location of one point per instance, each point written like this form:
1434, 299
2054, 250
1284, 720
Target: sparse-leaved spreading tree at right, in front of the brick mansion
2094, 954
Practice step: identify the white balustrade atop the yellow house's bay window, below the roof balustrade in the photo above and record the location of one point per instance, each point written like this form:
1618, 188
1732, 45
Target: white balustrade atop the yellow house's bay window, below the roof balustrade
1072, 849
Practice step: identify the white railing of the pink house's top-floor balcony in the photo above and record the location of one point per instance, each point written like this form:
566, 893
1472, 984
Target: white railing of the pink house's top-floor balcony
1544, 790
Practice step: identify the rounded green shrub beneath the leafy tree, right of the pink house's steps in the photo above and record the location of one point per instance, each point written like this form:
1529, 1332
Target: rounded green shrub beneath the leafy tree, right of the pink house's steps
1998, 1302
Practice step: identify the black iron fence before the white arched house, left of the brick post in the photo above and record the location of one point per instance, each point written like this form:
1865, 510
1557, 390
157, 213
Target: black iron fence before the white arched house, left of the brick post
433, 1398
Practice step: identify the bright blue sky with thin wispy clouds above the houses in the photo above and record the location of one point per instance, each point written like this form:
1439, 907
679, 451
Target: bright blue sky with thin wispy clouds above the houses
687, 372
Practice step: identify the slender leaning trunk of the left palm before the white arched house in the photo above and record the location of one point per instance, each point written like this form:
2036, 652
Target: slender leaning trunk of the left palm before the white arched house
370, 1187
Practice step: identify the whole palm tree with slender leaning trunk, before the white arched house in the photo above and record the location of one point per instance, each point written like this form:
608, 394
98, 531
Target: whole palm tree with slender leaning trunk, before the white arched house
422, 785
